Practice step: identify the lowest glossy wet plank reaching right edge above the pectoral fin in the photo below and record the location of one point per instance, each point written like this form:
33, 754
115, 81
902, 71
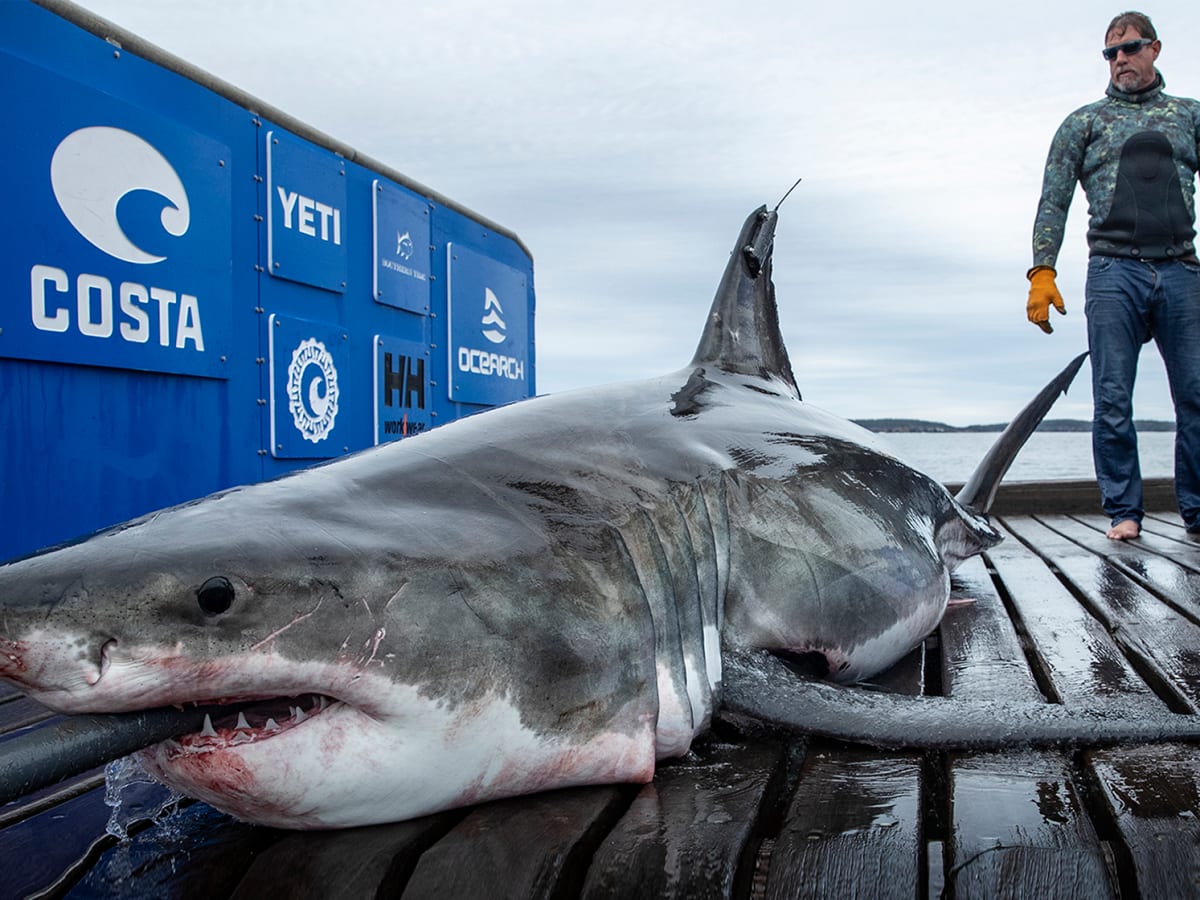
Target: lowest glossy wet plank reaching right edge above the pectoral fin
1166, 644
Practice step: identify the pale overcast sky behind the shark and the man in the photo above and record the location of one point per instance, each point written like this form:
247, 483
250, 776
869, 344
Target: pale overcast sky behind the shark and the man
627, 145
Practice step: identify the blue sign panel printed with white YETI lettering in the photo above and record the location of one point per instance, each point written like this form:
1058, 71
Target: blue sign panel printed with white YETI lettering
307, 225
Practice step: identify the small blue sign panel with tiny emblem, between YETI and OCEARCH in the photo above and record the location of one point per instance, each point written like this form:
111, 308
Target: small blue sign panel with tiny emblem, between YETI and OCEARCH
401, 248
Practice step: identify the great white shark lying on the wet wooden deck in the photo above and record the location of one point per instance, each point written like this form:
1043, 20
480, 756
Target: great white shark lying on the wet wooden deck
559, 592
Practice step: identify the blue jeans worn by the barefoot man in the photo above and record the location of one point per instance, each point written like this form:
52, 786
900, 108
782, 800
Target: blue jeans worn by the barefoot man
1129, 303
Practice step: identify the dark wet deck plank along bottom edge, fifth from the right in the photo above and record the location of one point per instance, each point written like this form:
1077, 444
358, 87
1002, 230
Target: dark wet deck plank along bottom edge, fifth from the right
533, 847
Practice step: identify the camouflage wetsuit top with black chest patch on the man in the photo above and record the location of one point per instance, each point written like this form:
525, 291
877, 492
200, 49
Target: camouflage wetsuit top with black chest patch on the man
1136, 155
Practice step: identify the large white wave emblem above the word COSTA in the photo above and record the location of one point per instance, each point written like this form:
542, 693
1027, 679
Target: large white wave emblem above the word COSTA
94, 169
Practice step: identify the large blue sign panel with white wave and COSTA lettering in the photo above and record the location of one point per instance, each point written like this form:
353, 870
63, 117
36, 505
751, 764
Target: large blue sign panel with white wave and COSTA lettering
119, 248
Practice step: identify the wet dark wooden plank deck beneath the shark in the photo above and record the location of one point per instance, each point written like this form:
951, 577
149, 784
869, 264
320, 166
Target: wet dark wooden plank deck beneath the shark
1059, 614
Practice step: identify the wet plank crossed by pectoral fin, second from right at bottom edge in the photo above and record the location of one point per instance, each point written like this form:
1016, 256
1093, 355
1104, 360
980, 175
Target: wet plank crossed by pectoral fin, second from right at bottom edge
1018, 827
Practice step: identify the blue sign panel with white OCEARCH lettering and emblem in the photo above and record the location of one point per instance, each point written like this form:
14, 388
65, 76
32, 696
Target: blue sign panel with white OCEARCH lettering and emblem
489, 313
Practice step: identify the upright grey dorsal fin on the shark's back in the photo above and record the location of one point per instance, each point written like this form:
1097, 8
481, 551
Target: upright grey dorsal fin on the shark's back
742, 334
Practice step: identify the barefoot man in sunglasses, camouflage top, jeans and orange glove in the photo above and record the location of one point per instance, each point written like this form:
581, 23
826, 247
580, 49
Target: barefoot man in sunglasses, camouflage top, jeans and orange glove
1136, 154
